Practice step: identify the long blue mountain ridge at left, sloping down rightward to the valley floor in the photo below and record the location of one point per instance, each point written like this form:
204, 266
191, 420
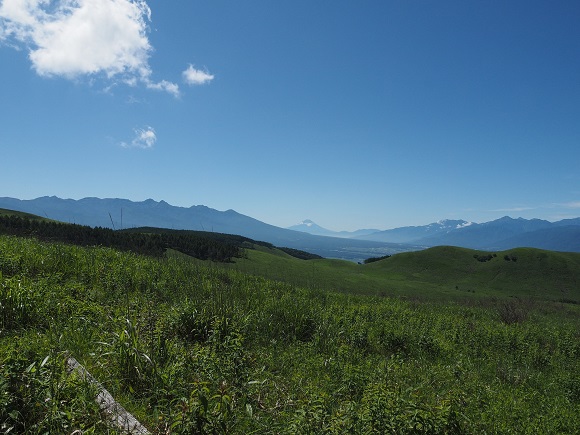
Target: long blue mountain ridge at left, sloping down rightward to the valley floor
123, 214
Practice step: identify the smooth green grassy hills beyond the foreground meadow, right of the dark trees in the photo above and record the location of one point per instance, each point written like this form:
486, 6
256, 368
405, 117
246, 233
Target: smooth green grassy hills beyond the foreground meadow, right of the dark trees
446, 273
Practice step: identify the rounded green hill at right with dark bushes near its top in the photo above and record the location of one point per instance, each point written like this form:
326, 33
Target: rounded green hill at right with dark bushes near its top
522, 272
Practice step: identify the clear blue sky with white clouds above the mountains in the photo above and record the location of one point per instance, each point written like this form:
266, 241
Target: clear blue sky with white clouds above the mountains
374, 114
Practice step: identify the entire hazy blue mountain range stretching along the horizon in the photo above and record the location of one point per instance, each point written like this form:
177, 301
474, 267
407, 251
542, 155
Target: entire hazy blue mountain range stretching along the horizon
501, 234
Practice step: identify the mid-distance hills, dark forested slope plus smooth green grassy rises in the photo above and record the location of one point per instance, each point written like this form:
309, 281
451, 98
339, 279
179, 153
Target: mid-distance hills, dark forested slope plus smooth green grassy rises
446, 273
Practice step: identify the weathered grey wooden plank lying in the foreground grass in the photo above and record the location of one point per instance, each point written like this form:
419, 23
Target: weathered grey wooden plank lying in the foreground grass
119, 417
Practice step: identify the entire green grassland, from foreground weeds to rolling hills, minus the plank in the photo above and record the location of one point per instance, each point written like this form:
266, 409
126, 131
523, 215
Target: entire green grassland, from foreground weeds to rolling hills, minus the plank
443, 341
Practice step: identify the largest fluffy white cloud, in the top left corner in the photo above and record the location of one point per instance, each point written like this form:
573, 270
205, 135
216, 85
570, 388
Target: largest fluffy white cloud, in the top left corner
72, 38
